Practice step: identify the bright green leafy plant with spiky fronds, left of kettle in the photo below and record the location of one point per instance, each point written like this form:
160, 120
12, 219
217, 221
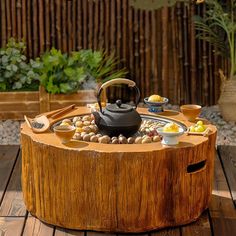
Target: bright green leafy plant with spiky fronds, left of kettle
63, 73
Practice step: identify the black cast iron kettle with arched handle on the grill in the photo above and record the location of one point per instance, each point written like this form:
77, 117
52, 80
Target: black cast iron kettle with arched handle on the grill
118, 118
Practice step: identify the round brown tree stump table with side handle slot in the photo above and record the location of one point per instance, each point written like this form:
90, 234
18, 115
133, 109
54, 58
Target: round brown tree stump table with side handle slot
117, 187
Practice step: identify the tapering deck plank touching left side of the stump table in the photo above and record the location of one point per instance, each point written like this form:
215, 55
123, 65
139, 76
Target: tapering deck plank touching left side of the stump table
12, 204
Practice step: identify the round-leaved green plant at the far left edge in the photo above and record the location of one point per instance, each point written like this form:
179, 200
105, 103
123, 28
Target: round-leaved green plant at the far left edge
15, 72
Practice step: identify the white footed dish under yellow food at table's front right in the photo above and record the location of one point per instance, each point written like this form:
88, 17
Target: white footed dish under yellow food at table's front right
170, 138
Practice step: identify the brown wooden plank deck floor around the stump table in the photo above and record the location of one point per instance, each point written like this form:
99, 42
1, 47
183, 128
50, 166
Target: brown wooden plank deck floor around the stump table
219, 219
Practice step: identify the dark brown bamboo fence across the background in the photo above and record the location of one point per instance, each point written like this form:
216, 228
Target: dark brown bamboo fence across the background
158, 47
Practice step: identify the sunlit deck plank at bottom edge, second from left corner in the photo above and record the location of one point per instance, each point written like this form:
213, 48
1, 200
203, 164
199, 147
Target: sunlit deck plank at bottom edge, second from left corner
35, 227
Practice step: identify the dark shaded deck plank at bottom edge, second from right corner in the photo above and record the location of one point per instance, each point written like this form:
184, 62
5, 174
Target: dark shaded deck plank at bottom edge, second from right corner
200, 227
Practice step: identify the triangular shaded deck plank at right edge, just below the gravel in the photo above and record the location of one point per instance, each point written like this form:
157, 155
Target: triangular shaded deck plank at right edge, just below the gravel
228, 158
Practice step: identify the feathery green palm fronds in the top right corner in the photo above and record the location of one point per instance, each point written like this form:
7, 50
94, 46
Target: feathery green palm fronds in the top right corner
218, 27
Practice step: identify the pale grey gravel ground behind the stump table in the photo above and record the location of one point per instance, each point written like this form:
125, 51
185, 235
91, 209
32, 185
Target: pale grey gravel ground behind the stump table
10, 130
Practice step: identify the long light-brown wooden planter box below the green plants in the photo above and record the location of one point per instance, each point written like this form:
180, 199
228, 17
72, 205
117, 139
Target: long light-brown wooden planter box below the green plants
14, 105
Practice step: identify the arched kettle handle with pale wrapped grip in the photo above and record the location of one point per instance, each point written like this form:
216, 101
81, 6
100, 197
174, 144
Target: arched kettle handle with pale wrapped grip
130, 83
